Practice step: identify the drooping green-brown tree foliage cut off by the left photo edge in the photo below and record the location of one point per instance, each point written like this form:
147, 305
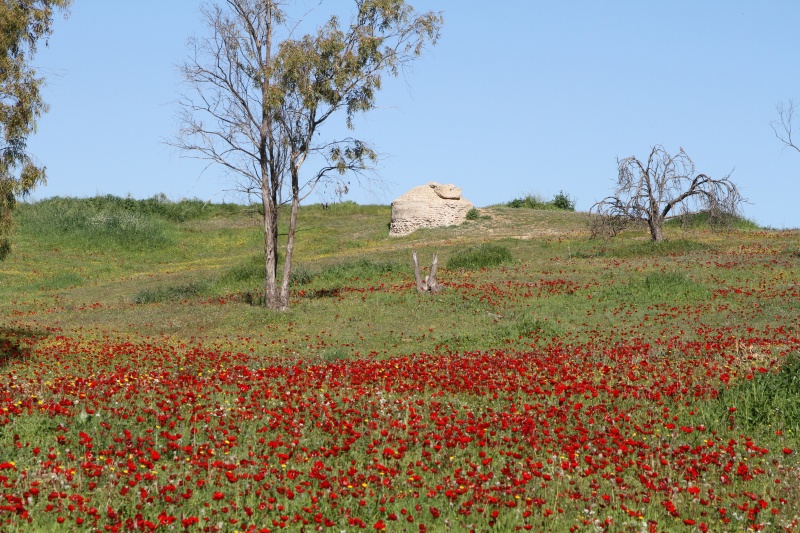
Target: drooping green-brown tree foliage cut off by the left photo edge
23, 25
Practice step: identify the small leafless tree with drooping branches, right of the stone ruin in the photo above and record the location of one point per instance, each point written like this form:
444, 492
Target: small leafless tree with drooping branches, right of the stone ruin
665, 185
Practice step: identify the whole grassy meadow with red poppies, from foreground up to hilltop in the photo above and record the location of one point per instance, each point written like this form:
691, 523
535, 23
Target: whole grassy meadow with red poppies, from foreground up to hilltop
577, 384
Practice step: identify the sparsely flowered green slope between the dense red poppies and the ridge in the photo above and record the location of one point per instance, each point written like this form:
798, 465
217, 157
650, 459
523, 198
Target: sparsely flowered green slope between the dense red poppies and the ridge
72, 281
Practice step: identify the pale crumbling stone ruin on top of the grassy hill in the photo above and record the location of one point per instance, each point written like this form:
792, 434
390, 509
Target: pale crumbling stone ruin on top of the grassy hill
428, 206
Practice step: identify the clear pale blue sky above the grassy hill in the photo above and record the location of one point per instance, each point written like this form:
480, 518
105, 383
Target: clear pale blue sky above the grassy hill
518, 97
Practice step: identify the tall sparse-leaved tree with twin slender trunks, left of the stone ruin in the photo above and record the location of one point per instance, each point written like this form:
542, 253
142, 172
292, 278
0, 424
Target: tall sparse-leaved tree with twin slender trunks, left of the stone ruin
257, 105
